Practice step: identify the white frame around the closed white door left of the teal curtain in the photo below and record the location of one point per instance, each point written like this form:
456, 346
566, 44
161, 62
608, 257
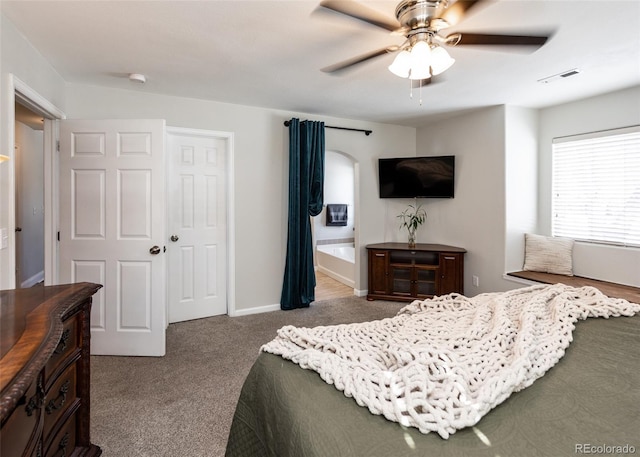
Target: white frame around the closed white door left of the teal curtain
230, 204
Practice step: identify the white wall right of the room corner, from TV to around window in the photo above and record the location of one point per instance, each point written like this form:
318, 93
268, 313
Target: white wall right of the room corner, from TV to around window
503, 189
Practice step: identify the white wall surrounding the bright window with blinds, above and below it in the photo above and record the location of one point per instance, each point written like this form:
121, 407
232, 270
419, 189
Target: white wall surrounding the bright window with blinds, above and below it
614, 110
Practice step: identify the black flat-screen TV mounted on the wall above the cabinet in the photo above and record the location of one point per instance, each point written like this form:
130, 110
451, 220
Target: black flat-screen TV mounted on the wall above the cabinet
411, 177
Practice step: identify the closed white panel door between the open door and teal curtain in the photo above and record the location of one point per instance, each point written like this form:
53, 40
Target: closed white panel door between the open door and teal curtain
197, 224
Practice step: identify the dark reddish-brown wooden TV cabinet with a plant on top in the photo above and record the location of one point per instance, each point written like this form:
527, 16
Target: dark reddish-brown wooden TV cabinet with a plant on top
398, 272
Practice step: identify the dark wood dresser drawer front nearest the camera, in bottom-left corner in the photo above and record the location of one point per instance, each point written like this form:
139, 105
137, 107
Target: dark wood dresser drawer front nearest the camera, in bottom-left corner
19, 432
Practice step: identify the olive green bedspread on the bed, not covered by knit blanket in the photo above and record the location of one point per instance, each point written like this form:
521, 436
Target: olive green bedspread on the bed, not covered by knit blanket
588, 403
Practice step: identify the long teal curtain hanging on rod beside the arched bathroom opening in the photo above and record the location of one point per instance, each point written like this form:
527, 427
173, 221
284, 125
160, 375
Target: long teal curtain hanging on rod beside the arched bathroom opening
306, 179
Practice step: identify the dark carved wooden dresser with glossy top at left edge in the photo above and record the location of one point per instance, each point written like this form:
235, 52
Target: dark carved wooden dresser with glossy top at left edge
45, 370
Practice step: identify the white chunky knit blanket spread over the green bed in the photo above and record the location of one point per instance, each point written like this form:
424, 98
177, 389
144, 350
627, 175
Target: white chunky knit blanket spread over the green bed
441, 364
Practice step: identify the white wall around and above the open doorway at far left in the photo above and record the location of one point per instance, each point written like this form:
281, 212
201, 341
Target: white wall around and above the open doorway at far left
19, 58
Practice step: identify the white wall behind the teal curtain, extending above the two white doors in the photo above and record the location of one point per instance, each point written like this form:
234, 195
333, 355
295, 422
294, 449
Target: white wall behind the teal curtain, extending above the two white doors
261, 170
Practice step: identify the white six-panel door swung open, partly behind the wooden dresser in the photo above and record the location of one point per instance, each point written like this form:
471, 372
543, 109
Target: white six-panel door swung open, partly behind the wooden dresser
112, 229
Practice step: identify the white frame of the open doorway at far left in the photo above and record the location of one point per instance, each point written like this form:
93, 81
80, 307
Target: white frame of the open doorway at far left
19, 91
